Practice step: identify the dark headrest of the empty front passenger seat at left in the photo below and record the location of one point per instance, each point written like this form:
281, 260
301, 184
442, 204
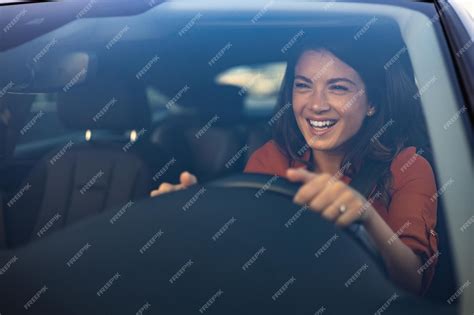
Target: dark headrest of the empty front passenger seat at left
109, 106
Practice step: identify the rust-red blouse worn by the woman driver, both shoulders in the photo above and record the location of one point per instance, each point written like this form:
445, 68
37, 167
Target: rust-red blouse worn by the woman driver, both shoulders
412, 210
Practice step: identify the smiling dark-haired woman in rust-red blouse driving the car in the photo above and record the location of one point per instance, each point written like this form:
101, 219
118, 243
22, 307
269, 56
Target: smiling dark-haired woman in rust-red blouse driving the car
344, 105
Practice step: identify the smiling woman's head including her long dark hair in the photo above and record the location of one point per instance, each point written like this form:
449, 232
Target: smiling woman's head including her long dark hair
369, 109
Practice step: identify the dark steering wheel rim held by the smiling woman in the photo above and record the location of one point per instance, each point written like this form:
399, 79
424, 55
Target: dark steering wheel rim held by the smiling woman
282, 186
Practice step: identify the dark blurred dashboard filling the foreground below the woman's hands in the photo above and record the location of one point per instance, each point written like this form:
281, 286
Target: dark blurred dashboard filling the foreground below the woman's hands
225, 246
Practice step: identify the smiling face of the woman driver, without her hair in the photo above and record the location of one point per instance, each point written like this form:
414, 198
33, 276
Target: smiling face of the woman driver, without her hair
329, 100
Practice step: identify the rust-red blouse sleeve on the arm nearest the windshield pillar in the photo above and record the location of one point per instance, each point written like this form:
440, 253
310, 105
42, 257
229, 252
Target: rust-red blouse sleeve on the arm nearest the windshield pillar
412, 210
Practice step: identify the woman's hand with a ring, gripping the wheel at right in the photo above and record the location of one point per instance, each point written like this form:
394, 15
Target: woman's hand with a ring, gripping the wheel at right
332, 198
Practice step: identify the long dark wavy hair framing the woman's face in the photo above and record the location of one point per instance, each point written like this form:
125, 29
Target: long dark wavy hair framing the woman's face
390, 88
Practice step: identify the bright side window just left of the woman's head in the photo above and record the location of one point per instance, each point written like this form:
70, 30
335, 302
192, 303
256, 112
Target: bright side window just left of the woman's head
259, 85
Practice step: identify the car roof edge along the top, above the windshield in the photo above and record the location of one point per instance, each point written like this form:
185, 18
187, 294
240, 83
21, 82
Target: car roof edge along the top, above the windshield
43, 17
